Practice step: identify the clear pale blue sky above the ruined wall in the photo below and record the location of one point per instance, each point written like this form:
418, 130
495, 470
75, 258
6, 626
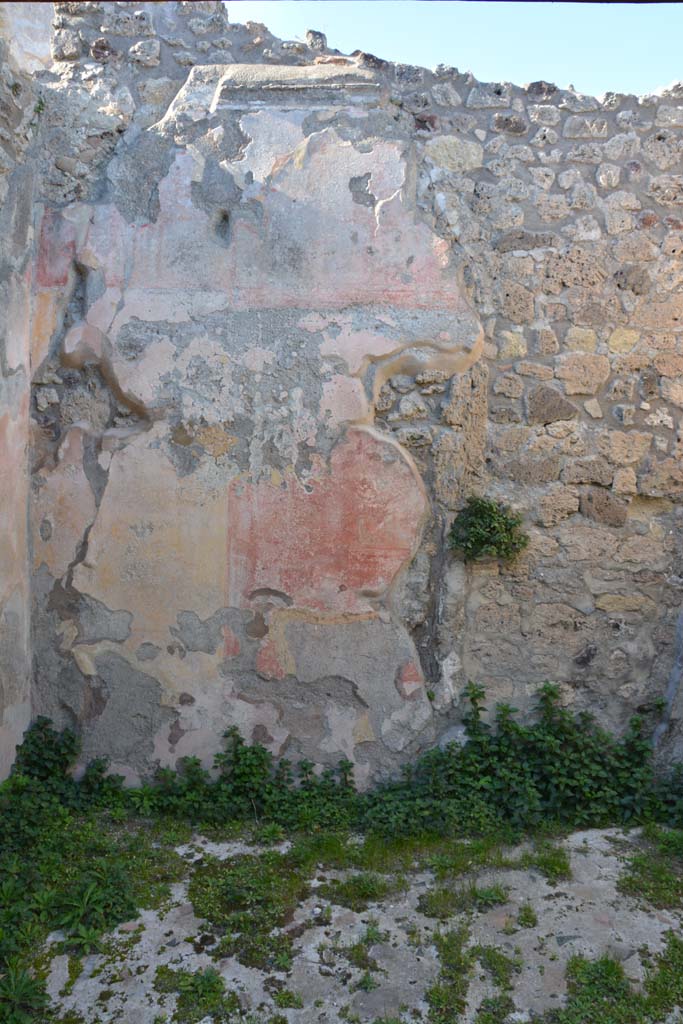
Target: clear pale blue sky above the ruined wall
596, 48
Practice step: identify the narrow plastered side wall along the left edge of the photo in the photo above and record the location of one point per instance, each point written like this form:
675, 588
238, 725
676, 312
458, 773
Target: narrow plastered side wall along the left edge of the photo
18, 125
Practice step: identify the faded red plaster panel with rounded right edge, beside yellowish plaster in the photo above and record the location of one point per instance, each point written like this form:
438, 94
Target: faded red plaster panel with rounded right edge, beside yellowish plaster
332, 546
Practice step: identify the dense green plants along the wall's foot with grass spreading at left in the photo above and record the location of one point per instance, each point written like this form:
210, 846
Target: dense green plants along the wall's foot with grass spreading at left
95, 863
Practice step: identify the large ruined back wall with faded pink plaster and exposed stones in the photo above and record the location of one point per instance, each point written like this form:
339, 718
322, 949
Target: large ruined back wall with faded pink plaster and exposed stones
290, 310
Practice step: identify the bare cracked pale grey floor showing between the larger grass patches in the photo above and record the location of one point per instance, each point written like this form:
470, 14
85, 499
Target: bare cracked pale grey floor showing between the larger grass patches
376, 960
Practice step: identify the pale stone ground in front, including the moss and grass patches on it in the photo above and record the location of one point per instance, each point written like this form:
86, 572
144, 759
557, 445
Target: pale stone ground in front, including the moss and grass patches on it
440, 932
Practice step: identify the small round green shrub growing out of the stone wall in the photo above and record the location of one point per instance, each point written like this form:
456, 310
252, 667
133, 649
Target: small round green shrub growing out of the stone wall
488, 529
